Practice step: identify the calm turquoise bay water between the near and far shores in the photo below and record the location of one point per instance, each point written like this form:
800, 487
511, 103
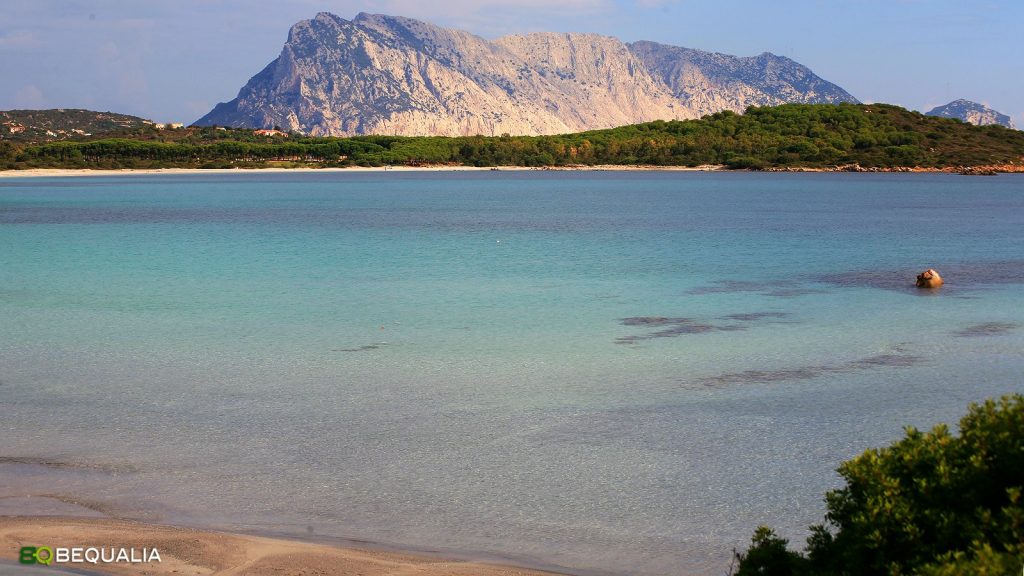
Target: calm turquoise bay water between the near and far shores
601, 372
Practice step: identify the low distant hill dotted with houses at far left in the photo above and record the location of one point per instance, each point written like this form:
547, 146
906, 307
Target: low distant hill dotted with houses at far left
59, 125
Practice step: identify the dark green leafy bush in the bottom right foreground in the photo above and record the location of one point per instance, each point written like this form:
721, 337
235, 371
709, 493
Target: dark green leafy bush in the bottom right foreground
932, 505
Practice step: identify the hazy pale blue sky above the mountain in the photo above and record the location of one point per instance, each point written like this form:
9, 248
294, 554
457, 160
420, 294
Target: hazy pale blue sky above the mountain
173, 61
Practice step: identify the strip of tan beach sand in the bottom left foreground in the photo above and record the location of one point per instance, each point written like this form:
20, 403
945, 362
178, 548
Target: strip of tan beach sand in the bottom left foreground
188, 552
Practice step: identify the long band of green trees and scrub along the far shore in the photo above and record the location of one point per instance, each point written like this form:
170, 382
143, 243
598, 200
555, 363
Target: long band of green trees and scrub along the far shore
789, 136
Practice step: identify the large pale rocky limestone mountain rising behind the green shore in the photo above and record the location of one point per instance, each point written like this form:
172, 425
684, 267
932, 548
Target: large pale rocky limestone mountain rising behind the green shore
391, 75
